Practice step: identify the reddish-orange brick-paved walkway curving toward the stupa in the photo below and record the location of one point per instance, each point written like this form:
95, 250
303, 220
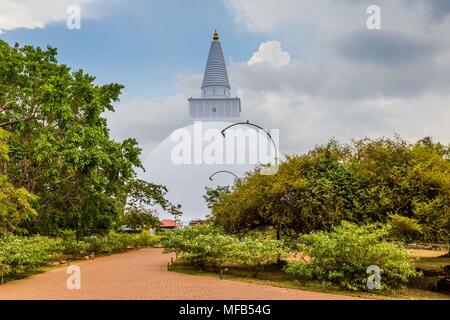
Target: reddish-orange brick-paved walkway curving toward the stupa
142, 274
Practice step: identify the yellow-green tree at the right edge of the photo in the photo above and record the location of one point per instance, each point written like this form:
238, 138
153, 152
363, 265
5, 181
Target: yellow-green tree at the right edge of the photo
410, 180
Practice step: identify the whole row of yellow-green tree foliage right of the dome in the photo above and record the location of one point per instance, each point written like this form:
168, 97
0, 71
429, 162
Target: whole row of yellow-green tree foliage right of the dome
364, 182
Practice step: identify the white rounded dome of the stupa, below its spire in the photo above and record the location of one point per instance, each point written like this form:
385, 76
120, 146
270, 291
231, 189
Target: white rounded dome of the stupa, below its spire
184, 165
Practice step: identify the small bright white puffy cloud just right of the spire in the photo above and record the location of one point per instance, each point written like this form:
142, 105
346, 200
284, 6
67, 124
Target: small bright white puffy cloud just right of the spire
272, 53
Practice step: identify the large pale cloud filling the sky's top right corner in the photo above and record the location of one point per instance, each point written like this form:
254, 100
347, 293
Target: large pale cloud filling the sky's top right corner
312, 25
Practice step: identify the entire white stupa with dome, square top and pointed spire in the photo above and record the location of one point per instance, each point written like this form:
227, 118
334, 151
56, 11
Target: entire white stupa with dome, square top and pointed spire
185, 160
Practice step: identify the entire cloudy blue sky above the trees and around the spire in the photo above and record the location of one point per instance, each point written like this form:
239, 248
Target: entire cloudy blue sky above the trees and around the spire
310, 68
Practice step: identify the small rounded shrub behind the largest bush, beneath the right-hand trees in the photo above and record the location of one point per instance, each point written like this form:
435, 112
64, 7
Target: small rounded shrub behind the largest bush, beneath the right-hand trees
403, 228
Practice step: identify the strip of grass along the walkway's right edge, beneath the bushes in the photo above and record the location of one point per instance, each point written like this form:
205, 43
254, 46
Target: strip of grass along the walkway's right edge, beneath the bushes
419, 289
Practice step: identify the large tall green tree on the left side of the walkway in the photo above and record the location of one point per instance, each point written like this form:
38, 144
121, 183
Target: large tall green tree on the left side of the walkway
59, 146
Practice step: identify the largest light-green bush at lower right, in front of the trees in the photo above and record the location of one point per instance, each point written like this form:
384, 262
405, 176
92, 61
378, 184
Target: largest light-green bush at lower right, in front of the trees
343, 256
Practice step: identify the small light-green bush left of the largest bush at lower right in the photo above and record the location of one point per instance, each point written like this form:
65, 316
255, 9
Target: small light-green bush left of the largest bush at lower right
255, 253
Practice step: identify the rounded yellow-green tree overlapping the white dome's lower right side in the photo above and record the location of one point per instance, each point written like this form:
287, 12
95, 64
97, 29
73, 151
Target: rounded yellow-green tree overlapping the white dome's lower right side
309, 192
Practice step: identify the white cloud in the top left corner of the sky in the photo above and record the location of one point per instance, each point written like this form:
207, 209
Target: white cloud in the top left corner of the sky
33, 14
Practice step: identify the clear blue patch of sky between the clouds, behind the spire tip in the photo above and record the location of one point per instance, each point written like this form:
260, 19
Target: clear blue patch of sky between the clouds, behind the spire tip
144, 45
